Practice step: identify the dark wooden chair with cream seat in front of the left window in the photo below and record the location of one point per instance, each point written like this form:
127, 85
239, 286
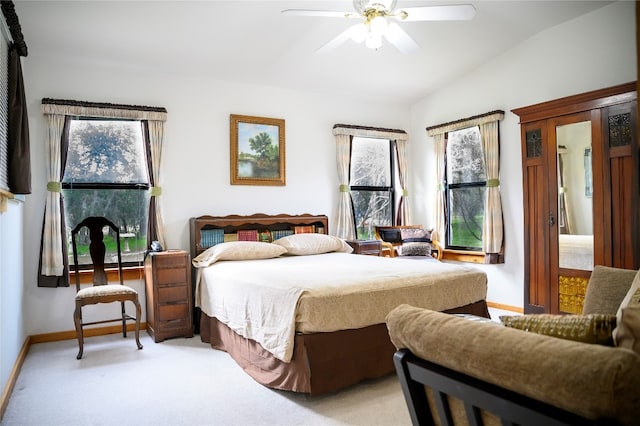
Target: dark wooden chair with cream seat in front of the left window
101, 291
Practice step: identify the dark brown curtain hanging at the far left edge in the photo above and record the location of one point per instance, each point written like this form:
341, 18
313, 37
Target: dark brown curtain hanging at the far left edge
19, 152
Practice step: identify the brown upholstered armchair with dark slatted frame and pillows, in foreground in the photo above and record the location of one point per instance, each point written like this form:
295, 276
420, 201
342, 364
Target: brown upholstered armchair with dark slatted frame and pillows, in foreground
542, 369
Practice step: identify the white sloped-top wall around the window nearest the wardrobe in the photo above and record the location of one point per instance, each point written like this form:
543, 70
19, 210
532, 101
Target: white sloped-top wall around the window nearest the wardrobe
591, 52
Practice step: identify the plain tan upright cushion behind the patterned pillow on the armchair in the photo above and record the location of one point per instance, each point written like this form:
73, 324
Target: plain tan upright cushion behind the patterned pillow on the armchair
606, 289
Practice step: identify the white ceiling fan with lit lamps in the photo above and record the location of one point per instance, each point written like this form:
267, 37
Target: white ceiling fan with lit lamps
378, 22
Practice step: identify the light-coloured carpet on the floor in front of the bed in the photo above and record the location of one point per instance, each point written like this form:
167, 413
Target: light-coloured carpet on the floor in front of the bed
176, 382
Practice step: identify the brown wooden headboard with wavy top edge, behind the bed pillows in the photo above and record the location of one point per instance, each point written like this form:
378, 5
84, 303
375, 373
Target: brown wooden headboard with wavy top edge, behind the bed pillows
261, 222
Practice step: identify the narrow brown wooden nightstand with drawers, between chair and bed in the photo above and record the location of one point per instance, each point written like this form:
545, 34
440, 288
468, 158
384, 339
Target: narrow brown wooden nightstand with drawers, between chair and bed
168, 293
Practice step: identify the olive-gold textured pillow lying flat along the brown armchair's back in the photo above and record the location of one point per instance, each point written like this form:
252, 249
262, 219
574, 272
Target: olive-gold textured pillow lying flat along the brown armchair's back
594, 328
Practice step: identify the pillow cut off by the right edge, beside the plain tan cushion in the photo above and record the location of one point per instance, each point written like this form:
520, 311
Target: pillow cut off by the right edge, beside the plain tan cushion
627, 333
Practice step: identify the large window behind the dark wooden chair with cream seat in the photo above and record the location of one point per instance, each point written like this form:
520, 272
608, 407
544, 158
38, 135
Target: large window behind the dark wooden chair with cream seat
106, 175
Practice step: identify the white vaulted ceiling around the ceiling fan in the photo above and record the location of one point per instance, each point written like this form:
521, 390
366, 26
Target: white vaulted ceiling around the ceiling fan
253, 42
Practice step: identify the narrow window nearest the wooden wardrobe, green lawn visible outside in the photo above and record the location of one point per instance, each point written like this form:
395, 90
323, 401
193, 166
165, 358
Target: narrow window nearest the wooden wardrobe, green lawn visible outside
466, 182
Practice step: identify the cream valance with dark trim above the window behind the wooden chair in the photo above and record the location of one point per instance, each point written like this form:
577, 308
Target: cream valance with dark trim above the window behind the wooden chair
99, 109
